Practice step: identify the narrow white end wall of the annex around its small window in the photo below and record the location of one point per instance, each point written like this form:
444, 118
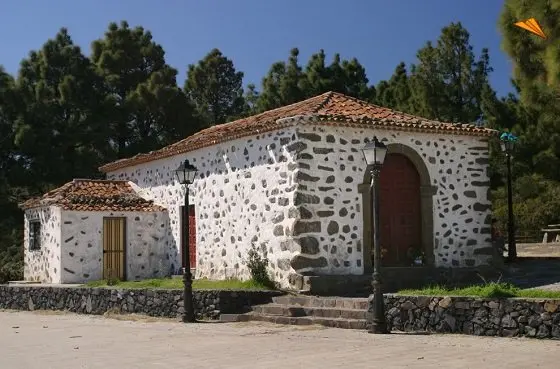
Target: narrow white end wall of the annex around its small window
43, 265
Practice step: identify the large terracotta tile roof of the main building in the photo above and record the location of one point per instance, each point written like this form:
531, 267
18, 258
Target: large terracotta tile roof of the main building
323, 109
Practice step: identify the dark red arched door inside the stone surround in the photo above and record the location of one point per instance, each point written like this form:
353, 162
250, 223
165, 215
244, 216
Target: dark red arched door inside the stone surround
399, 203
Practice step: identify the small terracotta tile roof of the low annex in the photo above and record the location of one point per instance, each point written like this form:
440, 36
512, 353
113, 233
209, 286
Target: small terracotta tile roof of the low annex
94, 195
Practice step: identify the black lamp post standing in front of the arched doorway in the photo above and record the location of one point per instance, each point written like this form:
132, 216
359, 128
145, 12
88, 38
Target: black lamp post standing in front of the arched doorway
374, 155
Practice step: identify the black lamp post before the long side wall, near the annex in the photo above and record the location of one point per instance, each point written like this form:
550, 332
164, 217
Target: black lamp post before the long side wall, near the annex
185, 175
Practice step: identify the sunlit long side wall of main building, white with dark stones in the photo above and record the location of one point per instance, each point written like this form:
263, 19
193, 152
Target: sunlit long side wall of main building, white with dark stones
243, 195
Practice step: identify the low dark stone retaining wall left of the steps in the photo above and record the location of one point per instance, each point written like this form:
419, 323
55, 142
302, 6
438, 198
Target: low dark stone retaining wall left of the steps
209, 304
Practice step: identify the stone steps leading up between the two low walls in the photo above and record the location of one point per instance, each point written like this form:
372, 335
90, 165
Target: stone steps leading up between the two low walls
337, 312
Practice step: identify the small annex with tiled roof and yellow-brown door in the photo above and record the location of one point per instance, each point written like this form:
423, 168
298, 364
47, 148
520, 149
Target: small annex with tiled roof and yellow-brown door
89, 230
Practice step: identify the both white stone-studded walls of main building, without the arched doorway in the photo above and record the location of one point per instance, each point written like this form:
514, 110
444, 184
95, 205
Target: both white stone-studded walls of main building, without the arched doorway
247, 193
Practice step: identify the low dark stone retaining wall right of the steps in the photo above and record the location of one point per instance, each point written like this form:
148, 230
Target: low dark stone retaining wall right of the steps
469, 315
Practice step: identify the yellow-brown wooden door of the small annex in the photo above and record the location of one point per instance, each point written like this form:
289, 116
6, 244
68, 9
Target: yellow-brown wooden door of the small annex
114, 239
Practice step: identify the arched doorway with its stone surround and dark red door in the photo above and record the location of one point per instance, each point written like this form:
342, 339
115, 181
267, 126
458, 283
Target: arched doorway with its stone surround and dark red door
406, 163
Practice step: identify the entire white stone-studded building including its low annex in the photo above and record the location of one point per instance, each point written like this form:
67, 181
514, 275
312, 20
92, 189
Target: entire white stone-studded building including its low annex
293, 182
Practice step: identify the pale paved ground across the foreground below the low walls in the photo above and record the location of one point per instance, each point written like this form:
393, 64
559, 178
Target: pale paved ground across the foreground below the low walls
66, 341
